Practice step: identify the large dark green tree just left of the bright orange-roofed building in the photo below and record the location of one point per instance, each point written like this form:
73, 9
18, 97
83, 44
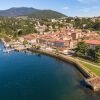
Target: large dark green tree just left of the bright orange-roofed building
81, 49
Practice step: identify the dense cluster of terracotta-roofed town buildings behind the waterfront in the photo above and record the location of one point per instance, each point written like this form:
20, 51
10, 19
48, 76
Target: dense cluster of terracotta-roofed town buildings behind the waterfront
65, 39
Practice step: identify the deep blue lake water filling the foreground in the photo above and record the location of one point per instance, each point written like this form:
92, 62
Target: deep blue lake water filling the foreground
39, 77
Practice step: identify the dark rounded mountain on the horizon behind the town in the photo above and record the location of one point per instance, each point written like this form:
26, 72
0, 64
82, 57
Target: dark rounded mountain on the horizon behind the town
31, 12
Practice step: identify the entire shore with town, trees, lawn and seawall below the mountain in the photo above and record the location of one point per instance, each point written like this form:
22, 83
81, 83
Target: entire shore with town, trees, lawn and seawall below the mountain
75, 39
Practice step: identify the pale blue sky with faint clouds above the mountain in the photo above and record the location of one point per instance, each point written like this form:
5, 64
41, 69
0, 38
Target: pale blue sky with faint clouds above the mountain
82, 8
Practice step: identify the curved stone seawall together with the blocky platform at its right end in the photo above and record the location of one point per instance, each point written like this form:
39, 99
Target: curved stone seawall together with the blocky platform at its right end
91, 79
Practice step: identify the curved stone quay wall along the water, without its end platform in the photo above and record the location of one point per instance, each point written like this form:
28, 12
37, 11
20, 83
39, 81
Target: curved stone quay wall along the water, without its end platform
64, 58
